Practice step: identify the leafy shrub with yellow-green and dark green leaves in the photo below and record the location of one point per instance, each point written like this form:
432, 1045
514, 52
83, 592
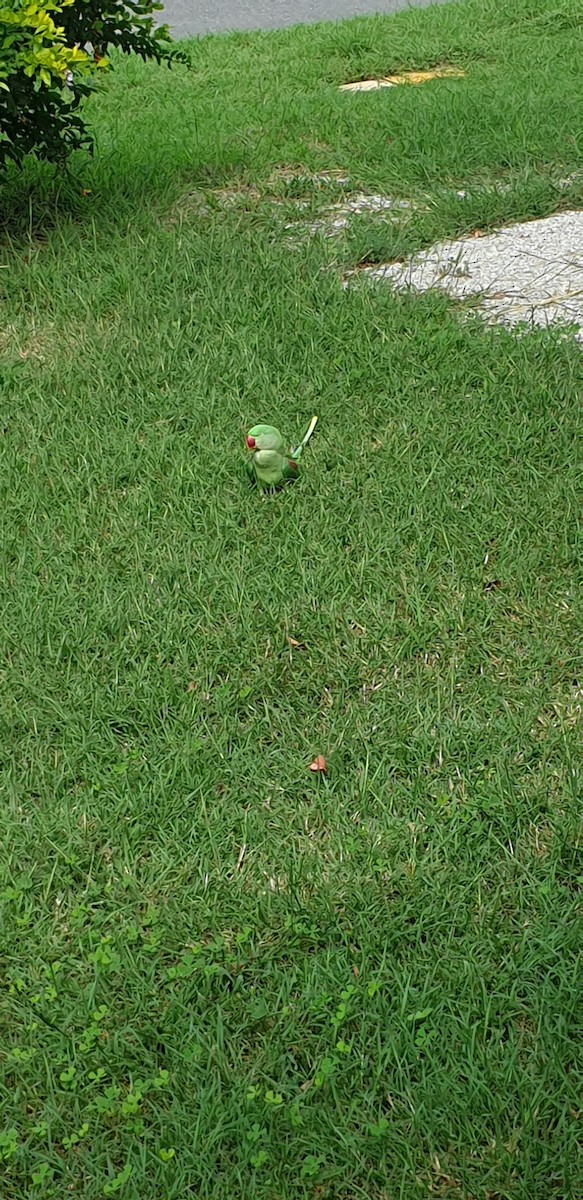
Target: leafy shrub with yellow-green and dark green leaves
51, 55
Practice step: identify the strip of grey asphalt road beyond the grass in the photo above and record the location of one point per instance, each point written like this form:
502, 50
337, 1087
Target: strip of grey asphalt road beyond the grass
190, 17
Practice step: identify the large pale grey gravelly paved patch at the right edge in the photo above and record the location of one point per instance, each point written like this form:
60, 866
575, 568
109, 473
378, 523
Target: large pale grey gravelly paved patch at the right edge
532, 272
